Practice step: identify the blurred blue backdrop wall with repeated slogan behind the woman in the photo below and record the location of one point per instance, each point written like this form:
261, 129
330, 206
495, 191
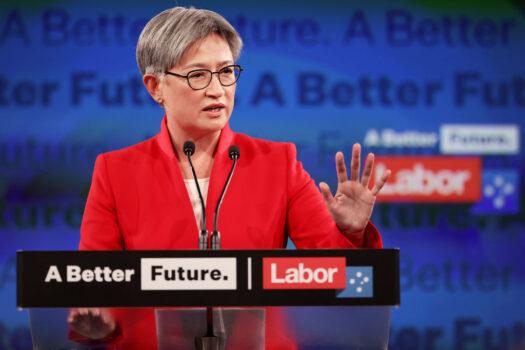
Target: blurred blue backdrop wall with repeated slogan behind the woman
390, 75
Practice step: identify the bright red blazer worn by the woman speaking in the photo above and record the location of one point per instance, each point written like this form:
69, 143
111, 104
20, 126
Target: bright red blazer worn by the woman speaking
138, 200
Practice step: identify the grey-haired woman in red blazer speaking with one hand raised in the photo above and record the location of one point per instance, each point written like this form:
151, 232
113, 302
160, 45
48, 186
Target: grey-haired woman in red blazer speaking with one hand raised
143, 197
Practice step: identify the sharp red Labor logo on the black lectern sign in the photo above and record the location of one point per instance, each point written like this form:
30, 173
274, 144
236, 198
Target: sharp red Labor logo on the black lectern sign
304, 273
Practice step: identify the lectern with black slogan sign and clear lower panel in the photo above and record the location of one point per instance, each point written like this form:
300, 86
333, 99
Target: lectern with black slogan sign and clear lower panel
336, 299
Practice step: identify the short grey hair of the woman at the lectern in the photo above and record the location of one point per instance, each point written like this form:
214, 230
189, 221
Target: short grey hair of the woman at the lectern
168, 35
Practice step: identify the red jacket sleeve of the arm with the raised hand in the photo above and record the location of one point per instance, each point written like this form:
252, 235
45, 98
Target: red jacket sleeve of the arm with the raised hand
309, 223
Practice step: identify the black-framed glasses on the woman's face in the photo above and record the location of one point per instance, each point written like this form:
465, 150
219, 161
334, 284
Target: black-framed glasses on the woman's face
199, 79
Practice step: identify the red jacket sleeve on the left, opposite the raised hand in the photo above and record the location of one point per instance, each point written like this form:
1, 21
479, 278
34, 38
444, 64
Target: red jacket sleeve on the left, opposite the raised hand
100, 229
